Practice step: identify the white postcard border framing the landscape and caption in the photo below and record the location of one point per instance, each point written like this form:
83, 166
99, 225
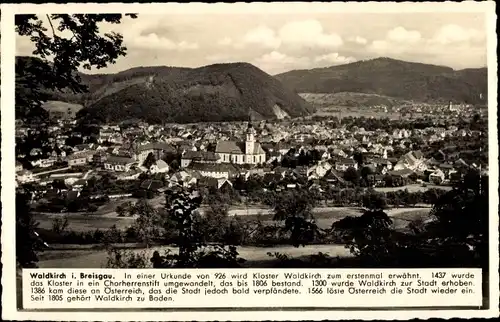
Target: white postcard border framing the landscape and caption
9, 311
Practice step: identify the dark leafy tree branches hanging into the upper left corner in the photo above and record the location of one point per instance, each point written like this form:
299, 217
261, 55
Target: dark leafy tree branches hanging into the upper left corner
57, 58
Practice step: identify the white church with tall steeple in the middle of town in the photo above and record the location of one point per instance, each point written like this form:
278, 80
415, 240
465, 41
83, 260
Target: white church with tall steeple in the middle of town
247, 152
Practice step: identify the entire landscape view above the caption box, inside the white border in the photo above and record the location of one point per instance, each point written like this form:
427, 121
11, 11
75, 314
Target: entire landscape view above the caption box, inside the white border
266, 159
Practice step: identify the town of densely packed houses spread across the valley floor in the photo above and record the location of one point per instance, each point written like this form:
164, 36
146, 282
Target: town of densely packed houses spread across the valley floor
76, 169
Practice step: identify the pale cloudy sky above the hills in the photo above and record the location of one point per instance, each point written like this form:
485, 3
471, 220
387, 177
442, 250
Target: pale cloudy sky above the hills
279, 42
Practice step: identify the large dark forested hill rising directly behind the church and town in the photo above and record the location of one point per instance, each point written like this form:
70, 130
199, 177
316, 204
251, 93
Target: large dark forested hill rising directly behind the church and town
221, 92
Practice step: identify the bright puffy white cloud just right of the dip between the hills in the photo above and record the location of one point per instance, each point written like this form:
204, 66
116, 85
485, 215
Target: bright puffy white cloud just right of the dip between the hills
308, 33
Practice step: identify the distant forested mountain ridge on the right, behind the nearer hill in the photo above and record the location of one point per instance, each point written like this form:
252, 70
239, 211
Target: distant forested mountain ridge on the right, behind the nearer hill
393, 78
